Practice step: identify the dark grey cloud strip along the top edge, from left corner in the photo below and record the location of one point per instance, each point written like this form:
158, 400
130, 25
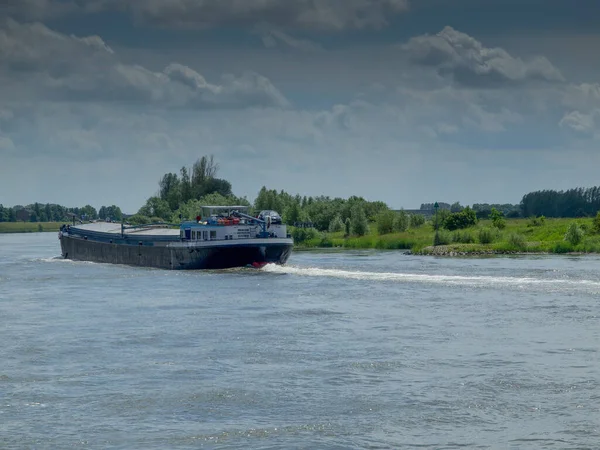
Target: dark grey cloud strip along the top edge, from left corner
327, 15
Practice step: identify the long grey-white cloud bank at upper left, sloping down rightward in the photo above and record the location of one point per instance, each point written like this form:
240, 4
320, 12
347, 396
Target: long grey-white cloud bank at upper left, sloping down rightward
46, 64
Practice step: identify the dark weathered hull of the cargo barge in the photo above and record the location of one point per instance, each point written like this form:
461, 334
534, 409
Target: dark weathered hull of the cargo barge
180, 258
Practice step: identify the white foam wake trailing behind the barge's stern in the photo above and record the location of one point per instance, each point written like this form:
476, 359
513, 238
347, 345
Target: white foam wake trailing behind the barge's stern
426, 278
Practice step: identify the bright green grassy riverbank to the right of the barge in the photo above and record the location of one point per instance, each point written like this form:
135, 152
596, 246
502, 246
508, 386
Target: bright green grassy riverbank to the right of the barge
519, 236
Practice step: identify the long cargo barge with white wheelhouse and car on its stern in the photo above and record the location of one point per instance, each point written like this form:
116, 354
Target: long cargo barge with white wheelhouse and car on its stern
227, 237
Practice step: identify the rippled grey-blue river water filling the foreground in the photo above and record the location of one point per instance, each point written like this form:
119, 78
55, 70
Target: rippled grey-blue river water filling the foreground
337, 350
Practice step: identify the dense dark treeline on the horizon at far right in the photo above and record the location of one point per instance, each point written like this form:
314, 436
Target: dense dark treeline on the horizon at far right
578, 202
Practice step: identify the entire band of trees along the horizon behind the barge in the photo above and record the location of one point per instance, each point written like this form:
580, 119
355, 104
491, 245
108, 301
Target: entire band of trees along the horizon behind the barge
180, 195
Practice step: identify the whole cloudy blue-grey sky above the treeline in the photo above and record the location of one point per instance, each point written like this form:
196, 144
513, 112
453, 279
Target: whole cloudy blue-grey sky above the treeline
403, 101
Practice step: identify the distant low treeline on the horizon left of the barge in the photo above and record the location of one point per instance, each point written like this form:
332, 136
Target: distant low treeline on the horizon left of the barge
49, 212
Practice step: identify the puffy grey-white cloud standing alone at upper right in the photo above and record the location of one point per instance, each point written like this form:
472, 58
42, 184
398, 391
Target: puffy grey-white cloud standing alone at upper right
471, 64
